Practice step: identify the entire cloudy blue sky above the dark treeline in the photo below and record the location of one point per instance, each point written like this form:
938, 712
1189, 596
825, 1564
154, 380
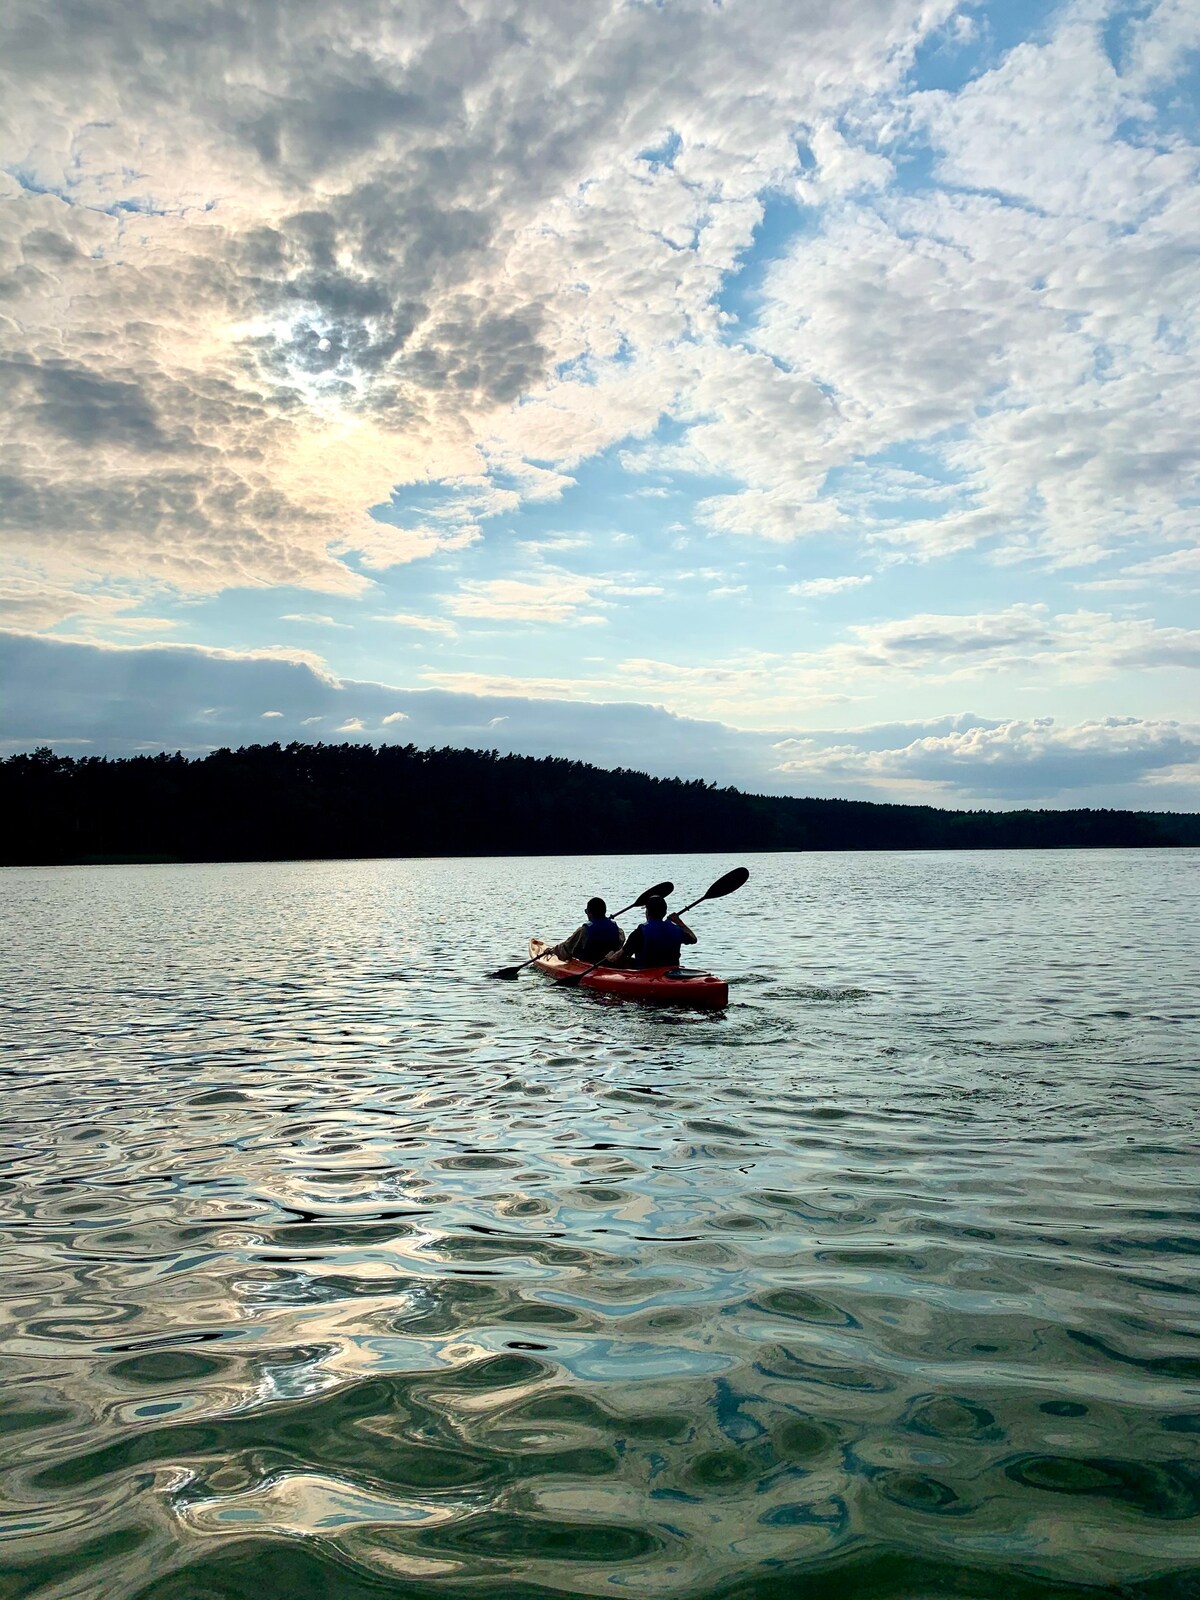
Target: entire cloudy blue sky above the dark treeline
793, 394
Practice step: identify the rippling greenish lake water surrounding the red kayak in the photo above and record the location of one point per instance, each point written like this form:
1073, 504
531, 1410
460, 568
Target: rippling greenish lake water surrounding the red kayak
330, 1268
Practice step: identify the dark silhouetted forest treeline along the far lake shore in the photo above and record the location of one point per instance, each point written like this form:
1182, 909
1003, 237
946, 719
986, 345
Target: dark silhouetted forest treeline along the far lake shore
276, 802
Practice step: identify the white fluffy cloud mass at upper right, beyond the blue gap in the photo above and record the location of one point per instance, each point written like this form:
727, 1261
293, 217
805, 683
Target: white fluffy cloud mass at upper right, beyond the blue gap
993, 319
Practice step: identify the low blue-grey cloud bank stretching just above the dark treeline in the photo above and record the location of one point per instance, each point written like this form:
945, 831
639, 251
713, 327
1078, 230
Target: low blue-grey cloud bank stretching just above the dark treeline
119, 700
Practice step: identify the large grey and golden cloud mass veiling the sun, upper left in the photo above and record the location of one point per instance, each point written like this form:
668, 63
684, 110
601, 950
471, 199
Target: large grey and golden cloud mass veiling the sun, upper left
337, 254
